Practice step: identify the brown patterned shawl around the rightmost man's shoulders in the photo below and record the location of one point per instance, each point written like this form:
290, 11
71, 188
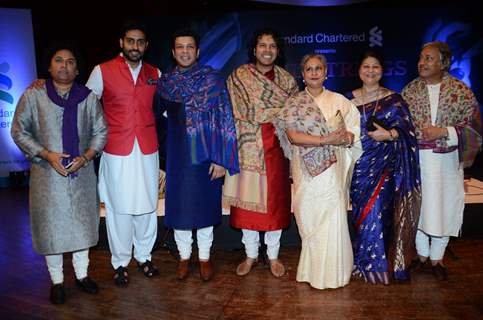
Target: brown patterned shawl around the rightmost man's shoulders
457, 108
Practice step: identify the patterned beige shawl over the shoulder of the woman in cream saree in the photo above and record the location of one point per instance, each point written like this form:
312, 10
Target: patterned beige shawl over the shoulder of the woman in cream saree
302, 114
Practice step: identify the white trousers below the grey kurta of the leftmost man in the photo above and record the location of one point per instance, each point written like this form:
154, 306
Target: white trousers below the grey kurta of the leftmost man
55, 262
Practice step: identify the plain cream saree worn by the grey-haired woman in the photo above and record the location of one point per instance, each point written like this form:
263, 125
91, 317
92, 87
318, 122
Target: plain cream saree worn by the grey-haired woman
320, 205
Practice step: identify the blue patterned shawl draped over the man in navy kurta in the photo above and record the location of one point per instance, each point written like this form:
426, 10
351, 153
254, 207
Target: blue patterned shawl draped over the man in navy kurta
209, 120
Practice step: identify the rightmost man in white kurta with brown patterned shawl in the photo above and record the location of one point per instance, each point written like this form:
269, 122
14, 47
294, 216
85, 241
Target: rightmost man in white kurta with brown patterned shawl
443, 110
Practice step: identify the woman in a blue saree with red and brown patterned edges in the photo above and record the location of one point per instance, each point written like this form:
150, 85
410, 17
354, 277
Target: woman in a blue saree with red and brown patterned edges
385, 188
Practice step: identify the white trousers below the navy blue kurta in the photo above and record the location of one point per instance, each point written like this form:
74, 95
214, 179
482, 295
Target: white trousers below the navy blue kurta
184, 240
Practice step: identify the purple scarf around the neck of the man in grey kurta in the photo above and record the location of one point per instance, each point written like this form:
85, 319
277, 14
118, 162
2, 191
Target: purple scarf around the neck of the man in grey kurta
70, 135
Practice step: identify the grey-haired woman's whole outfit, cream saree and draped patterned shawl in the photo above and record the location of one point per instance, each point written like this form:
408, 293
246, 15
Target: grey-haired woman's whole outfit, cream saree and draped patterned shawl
320, 201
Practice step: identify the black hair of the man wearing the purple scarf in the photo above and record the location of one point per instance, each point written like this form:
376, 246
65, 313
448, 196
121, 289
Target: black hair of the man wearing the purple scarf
55, 47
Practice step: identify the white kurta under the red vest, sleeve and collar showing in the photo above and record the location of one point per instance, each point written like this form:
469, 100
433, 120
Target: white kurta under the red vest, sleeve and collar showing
127, 184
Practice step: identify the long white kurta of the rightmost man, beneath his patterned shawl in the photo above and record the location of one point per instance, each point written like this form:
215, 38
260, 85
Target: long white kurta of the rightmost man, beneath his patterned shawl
442, 186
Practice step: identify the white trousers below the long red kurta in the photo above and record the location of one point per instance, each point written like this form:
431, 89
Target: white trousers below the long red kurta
251, 240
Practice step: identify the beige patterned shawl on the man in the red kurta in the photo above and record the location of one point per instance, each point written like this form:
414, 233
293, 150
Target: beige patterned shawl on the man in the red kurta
256, 100
